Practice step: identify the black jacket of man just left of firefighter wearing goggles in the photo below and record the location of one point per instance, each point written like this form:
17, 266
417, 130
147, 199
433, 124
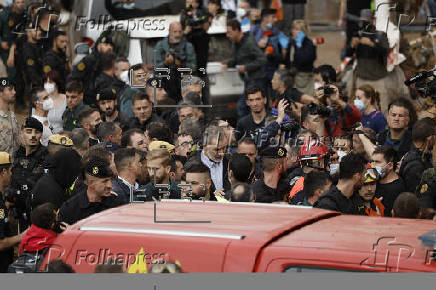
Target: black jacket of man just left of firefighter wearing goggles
333, 199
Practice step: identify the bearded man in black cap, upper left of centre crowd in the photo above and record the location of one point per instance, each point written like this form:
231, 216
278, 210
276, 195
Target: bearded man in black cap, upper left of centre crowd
107, 103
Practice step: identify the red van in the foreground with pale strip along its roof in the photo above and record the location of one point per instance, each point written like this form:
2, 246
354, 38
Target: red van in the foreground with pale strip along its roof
244, 237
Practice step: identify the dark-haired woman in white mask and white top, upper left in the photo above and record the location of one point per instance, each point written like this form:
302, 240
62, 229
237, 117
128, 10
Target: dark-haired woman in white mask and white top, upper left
52, 83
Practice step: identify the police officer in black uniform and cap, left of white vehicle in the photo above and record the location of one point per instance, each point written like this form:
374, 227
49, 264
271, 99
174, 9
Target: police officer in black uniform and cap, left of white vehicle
89, 68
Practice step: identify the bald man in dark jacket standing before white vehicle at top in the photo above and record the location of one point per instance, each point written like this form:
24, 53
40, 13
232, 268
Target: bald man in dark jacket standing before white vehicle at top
174, 50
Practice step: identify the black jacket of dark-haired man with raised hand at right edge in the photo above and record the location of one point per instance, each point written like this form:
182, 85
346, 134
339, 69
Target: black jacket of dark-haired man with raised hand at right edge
412, 167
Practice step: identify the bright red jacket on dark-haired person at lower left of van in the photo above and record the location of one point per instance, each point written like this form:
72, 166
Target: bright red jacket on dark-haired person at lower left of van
36, 239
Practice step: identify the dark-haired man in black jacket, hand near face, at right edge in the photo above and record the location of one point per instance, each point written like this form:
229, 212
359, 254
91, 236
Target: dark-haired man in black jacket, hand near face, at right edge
419, 158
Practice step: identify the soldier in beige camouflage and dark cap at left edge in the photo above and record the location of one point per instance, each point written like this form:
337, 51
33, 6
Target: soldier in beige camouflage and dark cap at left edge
9, 130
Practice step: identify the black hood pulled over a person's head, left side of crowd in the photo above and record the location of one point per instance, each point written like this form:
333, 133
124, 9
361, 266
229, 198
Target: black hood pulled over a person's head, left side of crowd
65, 167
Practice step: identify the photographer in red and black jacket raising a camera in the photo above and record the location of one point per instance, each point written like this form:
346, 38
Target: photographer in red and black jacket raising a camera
342, 116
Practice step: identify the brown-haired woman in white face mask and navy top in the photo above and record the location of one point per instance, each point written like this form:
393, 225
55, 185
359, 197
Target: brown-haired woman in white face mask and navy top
368, 102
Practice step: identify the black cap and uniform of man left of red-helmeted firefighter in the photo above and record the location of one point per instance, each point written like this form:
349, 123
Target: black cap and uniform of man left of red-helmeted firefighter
263, 193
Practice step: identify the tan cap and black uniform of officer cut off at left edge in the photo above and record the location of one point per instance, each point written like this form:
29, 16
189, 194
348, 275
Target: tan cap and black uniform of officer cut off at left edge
6, 256
